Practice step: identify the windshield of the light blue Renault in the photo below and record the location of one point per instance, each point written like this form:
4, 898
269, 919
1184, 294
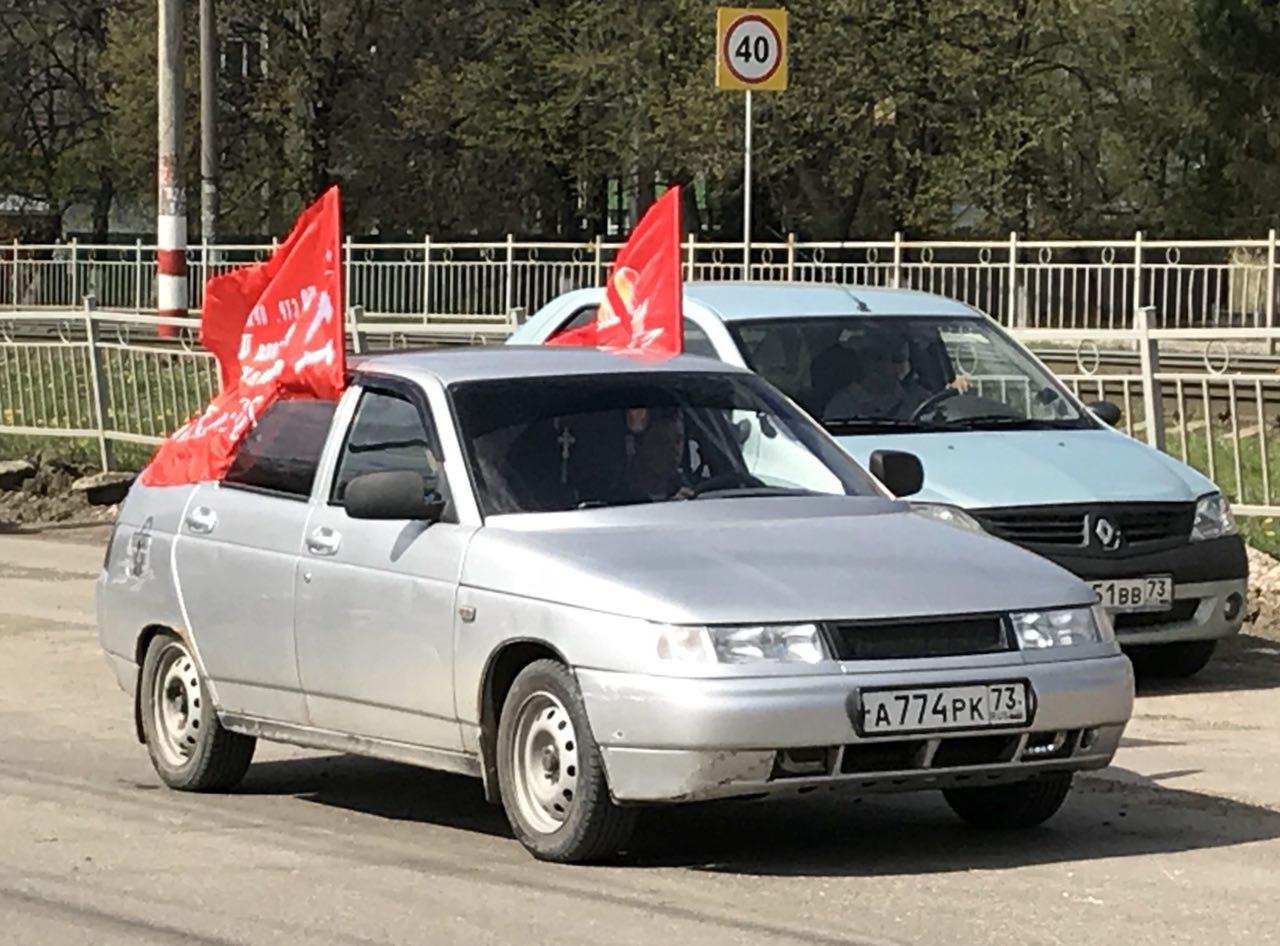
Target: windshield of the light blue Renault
866, 373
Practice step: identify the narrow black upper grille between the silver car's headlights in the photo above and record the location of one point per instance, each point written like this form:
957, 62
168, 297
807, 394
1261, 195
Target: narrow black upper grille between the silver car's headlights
920, 638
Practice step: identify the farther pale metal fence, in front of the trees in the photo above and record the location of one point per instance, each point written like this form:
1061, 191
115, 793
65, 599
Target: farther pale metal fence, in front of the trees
1023, 285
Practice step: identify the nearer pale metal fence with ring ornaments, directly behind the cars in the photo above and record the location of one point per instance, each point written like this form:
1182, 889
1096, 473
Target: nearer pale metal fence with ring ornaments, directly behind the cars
112, 381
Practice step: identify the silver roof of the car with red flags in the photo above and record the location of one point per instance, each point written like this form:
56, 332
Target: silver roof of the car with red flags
510, 362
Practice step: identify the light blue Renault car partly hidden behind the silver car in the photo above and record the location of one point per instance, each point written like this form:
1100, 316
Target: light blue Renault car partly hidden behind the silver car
1007, 449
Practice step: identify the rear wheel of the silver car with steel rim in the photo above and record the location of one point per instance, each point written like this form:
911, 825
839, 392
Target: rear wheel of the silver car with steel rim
189, 748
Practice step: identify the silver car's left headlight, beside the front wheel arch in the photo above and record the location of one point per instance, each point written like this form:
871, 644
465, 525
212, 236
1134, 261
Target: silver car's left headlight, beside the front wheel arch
743, 645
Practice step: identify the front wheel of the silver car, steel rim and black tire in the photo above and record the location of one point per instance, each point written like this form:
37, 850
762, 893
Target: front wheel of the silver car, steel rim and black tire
551, 773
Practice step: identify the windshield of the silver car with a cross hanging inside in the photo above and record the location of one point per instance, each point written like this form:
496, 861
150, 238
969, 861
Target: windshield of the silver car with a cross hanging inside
542, 445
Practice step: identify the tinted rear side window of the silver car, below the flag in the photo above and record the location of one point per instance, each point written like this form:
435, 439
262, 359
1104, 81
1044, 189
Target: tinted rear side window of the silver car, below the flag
284, 451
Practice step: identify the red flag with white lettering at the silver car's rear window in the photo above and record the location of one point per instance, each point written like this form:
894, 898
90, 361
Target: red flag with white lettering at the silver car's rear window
277, 331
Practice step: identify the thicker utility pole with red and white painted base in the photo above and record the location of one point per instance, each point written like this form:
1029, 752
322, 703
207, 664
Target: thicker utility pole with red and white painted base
172, 189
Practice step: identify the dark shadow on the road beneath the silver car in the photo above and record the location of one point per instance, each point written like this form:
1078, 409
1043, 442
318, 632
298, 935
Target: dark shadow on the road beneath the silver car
822, 835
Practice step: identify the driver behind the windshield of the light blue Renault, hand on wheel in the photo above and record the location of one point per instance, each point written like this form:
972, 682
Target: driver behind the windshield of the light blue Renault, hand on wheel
885, 386
